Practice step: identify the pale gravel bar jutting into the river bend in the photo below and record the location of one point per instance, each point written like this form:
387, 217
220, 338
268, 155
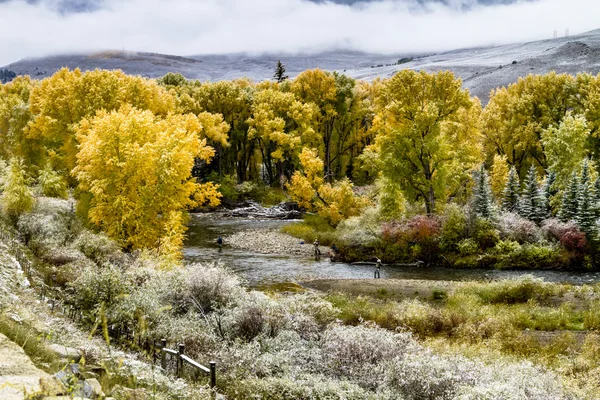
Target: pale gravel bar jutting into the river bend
271, 241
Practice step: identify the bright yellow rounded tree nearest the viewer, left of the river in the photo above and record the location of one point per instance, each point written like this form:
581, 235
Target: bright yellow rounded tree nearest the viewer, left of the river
137, 168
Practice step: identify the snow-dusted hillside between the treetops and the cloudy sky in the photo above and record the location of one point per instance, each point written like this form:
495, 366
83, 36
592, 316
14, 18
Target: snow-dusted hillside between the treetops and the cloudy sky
481, 69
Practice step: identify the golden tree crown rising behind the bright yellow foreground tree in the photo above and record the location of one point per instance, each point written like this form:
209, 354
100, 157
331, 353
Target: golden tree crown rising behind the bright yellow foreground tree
60, 102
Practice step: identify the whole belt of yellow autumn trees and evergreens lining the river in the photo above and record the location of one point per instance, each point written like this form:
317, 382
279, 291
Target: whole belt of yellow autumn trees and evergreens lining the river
139, 153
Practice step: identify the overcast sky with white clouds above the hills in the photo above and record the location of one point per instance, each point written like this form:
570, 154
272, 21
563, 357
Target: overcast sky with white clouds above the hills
30, 28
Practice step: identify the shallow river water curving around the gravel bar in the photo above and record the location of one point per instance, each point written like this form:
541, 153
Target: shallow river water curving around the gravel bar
263, 269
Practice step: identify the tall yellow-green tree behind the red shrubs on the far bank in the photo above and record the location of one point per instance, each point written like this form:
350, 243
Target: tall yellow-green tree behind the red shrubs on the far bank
427, 134
